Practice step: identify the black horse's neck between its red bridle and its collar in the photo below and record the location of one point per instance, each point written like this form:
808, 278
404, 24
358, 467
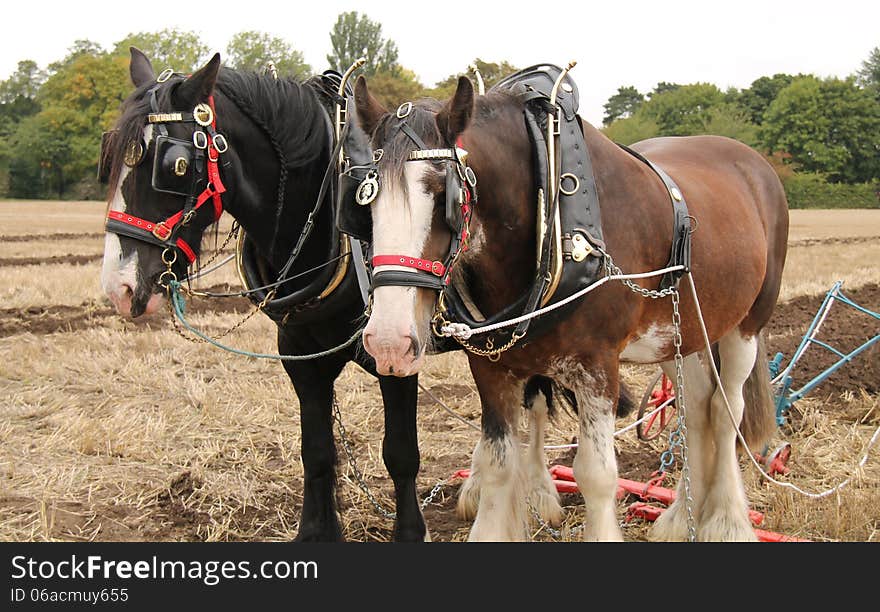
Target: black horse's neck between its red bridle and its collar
270, 213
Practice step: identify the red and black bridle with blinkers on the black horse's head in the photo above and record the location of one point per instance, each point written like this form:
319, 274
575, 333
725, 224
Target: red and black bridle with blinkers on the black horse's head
180, 167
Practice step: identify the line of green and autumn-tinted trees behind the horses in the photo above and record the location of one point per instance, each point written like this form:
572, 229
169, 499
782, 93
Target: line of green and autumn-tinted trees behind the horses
817, 131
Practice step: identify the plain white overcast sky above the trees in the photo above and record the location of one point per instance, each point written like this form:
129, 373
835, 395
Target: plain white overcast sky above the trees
630, 42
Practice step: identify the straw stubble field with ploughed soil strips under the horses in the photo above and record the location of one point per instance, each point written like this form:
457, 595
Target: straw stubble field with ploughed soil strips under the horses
119, 430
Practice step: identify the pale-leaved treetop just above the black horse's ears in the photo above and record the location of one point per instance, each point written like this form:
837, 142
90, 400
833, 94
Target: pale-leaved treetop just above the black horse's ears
170, 48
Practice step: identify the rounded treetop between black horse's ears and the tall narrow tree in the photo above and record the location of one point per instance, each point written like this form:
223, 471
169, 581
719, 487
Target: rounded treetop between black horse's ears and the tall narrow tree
252, 50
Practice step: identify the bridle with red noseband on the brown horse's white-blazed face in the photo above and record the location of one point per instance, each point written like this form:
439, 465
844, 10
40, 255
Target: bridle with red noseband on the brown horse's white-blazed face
461, 195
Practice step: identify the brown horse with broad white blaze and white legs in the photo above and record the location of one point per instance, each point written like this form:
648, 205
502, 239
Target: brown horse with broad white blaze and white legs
738, 253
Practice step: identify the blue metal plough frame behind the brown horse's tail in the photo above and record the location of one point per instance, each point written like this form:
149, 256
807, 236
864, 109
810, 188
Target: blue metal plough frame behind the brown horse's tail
785, 397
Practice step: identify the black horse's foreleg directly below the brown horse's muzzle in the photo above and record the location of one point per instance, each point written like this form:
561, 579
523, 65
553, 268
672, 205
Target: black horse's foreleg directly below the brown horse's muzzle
400, 450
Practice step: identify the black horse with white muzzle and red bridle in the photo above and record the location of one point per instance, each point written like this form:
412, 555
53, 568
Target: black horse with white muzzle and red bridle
262, 149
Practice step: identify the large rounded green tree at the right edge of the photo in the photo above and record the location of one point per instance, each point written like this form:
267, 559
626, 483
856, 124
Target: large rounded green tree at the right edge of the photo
829, 126
